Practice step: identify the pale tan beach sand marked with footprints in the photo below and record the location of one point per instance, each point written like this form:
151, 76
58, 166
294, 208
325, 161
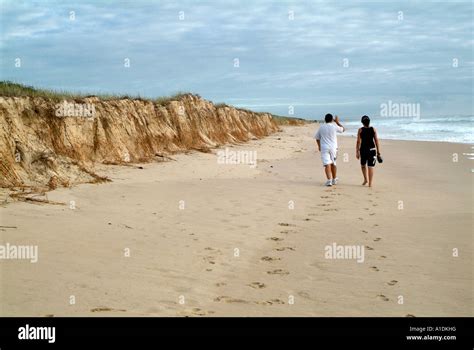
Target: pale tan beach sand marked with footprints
230, 240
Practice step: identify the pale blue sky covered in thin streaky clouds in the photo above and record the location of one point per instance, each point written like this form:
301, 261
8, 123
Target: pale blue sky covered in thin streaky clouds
297, 58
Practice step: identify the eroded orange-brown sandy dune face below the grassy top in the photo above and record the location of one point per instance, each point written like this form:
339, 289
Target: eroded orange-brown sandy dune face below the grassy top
44, 143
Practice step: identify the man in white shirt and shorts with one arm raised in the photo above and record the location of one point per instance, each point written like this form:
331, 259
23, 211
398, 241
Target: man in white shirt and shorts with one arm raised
327, 144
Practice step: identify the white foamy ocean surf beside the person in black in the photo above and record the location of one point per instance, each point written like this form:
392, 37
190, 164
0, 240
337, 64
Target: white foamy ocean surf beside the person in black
457, 129
